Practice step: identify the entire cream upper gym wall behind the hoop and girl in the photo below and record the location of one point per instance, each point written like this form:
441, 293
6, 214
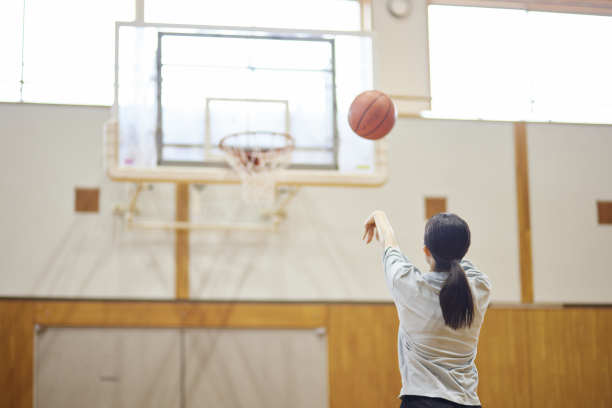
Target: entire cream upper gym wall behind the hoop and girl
49, 250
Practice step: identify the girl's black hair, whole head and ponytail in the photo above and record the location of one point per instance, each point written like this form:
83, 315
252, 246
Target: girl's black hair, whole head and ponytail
448, 238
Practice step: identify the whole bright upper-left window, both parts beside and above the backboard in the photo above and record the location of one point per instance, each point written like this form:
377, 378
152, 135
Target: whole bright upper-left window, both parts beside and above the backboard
68, 45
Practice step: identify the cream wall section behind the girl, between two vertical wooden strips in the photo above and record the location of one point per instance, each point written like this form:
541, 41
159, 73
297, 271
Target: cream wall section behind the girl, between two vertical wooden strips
318, 253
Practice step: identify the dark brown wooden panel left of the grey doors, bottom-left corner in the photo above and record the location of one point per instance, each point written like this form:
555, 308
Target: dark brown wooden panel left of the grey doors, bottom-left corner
17, 354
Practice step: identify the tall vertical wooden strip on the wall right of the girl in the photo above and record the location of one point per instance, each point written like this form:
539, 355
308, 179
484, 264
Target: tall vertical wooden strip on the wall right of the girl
524, 218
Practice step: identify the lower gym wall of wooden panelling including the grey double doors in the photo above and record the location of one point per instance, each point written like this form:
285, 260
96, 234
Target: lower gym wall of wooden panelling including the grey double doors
530, 351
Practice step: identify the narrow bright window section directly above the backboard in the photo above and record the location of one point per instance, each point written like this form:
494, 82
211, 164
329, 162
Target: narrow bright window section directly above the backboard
295, 14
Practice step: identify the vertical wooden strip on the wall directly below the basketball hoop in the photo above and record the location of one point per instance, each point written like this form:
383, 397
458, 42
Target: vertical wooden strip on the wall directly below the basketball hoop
181, 243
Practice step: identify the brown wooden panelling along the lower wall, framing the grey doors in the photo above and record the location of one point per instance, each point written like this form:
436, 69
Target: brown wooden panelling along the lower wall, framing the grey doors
527, 357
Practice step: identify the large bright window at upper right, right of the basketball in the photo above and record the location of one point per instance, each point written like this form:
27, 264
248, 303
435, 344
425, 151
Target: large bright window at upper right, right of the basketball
517, 65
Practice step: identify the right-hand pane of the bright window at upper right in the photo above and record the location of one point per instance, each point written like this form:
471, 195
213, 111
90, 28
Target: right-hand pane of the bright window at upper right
572, 67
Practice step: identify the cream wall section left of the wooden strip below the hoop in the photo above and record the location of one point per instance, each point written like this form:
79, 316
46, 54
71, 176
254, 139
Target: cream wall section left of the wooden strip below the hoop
47, 248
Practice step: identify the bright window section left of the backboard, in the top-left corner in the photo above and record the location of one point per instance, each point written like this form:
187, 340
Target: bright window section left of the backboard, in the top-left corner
68, 50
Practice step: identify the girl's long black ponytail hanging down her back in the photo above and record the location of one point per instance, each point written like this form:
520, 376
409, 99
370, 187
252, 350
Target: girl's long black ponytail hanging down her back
456, 298
